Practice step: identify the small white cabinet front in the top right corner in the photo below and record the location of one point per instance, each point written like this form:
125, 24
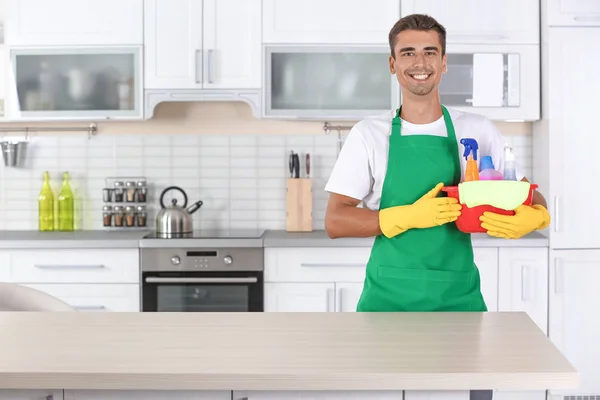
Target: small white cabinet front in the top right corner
573, 12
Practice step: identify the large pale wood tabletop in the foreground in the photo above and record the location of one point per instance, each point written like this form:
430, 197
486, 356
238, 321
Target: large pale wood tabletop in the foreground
279, 351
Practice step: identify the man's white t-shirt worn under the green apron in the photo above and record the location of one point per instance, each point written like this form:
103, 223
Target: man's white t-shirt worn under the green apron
362, 163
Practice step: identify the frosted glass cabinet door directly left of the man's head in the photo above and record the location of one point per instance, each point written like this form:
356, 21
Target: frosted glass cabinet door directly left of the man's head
328, 82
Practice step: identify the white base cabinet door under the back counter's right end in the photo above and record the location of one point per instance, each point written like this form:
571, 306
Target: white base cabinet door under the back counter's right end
523, 283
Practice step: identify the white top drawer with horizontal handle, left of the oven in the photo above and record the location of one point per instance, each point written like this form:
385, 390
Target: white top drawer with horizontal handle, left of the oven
74, 266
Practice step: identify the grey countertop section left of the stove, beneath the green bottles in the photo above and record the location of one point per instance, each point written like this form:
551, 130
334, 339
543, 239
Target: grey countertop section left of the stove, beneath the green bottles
90, 239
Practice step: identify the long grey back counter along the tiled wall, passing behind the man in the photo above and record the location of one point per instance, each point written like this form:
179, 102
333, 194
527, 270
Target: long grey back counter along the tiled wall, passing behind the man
270, 238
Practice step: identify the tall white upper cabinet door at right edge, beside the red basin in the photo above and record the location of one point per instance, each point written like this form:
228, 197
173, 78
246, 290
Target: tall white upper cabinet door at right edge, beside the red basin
573, 138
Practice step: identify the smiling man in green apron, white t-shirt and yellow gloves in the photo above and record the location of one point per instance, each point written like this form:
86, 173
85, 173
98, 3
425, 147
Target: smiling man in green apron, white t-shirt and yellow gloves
396, 165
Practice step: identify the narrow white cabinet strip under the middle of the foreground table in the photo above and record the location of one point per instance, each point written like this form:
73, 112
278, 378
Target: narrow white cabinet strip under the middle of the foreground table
317, 395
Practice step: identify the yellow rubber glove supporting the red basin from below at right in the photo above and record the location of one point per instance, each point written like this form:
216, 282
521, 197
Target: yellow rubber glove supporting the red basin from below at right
526, 220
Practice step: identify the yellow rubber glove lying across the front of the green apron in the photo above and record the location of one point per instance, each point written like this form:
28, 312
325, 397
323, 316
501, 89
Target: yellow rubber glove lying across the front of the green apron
427, 212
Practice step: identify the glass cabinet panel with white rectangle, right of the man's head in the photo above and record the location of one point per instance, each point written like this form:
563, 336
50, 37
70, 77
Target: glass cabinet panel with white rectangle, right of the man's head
481, 80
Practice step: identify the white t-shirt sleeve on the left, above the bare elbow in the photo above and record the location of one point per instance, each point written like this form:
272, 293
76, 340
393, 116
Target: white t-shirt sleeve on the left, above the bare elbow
351, 175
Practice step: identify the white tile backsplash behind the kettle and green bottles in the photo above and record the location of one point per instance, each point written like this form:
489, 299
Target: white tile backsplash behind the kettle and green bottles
240, 178
